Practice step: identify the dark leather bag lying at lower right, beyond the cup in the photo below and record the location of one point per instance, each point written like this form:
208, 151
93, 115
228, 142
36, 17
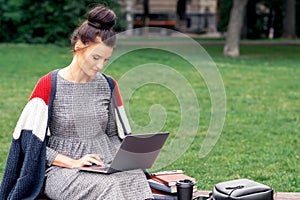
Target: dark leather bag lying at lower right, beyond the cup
241, 189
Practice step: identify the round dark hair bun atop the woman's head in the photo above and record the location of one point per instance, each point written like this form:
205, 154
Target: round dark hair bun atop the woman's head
102, 18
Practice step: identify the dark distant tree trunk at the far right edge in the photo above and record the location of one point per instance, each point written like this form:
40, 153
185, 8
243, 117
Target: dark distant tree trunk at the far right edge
289, 20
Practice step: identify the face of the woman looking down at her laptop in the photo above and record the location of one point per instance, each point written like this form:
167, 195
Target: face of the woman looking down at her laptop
93, 58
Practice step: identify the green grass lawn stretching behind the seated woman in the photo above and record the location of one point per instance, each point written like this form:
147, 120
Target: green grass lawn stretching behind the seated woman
260, 138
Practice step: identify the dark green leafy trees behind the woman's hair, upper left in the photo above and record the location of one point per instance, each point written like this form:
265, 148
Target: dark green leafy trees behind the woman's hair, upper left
46, 21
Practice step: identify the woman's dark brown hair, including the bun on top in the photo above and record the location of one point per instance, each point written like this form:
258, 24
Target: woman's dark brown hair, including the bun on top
99, 24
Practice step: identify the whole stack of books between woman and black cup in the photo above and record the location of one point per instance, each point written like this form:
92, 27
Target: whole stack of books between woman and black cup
163, 184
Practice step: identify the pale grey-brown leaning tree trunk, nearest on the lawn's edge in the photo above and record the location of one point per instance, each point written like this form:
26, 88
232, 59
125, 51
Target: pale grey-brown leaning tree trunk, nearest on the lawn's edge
231, 47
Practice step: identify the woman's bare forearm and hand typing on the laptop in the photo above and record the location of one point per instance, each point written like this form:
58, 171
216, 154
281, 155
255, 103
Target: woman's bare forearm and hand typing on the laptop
65, 161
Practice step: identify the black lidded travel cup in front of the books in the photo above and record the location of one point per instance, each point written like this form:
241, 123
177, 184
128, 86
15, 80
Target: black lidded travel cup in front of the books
184, 189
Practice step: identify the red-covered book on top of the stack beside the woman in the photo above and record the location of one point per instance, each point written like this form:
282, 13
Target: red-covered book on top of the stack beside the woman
171, 179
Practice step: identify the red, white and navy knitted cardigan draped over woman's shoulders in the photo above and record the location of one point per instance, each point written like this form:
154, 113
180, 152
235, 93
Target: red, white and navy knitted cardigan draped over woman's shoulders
26, 163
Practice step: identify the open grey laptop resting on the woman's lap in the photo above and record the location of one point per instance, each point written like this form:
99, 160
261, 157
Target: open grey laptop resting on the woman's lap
137, 151
